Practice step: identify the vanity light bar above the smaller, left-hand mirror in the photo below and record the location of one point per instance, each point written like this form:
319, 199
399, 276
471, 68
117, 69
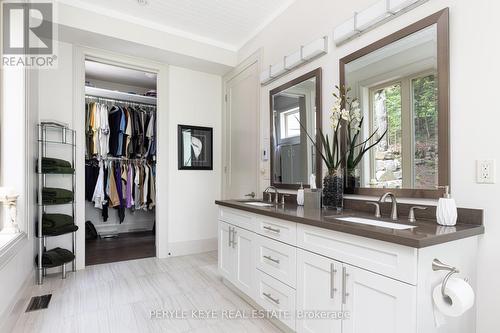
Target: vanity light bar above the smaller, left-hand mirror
306, 53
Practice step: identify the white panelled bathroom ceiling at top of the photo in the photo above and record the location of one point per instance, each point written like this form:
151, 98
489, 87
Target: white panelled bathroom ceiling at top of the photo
227, 24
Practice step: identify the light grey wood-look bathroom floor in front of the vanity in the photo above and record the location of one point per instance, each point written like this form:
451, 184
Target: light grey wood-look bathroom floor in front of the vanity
119, 297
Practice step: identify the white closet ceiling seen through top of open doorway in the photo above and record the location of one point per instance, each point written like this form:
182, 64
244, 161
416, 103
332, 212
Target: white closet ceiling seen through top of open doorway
99, 71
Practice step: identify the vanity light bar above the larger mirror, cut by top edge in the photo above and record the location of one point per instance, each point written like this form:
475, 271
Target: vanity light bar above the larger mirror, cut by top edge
371, 17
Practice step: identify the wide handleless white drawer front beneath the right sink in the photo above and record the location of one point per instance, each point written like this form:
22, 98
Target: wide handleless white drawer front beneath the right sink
392, 260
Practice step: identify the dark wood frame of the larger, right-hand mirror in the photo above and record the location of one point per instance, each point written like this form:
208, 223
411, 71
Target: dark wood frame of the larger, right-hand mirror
441, 19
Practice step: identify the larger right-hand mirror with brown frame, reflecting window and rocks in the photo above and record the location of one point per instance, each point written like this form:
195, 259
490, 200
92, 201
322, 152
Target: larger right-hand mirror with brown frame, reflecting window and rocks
402, 85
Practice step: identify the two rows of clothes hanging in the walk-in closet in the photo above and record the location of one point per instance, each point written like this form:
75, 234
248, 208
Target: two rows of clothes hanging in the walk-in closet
120, 132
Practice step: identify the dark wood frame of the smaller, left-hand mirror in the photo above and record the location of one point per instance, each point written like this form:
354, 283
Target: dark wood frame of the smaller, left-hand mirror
319, 163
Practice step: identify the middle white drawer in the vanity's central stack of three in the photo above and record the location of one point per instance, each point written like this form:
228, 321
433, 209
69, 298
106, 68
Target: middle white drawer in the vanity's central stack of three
276, 259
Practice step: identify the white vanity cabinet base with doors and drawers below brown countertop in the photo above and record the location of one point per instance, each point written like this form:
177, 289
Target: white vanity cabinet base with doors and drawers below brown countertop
361, 285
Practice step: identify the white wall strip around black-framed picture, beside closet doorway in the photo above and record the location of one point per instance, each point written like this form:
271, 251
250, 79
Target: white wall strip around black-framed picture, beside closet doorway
195, 99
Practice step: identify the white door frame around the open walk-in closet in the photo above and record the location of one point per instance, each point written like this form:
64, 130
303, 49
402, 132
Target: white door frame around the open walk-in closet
80, 54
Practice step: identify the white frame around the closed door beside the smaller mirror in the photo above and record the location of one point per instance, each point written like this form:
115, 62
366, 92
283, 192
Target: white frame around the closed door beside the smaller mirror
255, 58
